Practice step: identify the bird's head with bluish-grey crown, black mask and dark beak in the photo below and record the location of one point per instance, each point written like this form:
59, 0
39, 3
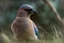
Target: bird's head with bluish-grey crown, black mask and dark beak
27, 9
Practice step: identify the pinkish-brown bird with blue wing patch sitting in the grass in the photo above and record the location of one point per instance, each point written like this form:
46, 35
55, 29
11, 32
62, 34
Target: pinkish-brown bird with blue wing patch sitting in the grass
23, 27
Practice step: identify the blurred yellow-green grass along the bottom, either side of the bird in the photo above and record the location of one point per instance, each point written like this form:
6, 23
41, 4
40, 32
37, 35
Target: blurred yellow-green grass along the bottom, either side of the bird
7, 37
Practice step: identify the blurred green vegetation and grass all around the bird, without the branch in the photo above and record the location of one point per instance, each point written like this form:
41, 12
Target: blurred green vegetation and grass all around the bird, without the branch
49, 29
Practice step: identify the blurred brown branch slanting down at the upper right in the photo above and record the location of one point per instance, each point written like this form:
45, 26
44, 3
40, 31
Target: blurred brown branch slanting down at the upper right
57, 16
